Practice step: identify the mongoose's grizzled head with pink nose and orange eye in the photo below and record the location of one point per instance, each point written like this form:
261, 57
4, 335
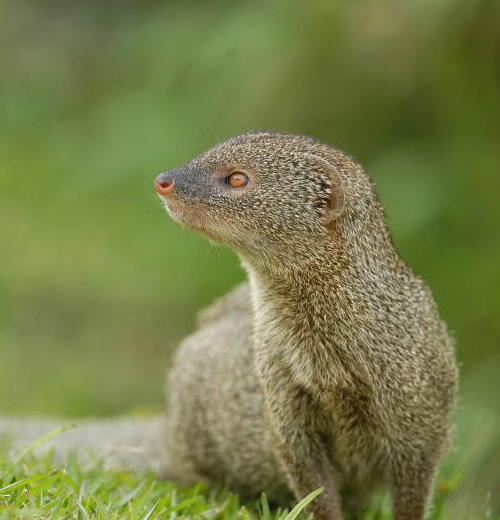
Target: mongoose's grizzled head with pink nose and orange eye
271, 197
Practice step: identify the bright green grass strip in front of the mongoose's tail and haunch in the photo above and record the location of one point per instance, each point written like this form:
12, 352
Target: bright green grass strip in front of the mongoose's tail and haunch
35, 489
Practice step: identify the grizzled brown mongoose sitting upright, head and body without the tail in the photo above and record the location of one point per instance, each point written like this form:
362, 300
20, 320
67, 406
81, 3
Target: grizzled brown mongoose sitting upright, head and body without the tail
331, 368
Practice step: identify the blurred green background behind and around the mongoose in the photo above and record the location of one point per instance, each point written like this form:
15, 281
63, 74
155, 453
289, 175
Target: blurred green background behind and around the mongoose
97, 286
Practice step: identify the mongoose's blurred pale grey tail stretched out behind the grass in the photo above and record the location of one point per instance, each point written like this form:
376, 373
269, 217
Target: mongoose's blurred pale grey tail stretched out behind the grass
122, 443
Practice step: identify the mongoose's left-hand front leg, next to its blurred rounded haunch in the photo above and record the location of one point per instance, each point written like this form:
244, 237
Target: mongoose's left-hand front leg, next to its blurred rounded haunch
301, 449
